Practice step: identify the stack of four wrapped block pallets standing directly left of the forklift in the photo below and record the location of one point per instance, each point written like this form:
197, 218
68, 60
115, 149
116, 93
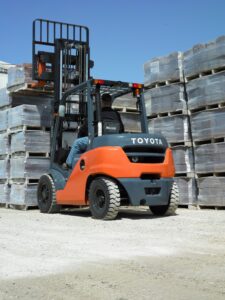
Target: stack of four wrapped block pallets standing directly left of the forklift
30, 147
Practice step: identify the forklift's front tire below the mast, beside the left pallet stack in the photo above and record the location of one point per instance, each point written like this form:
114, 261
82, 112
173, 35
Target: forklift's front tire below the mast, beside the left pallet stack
46, 195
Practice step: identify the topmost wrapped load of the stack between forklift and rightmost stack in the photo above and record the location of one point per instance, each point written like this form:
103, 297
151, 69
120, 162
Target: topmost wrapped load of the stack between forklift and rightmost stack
164, 68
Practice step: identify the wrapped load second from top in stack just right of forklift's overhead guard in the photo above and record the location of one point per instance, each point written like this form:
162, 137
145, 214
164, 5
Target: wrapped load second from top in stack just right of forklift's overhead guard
169, 98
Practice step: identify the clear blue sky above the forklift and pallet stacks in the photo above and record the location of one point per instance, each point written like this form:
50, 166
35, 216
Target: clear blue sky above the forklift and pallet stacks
123, 34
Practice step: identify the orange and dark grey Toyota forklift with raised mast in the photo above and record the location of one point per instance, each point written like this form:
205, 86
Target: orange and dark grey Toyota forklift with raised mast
118, 168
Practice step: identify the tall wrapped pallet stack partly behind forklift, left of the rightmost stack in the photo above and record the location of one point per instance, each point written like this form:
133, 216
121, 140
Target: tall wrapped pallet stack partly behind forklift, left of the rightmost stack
167, 113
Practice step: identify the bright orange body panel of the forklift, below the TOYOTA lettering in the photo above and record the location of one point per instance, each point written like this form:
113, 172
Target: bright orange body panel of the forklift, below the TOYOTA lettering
110, 161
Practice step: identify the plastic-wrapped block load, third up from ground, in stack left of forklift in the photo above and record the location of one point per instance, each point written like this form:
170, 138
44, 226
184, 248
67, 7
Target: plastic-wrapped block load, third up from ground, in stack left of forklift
30, 141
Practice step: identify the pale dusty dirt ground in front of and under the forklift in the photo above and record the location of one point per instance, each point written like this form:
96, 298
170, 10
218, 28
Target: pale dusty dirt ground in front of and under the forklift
137, 256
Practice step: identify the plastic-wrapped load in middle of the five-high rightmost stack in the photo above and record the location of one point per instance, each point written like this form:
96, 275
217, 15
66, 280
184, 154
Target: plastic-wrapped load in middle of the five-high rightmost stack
208, 124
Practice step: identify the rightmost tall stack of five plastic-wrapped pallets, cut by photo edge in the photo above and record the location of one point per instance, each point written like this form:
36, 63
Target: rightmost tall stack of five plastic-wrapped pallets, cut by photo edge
204, 70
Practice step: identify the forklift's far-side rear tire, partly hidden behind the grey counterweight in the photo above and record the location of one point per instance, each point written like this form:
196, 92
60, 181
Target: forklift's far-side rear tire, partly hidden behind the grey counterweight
170, 209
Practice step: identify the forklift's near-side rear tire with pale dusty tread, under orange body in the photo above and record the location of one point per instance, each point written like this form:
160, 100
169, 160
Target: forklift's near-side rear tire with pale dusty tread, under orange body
104, 197
